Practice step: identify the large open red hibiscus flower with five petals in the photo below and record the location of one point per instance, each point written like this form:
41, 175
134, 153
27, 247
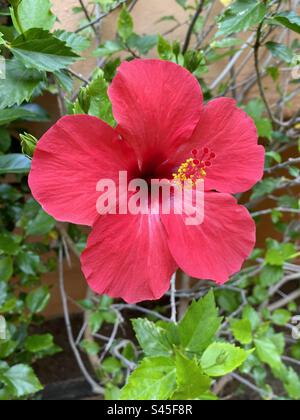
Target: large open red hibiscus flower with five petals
162, 125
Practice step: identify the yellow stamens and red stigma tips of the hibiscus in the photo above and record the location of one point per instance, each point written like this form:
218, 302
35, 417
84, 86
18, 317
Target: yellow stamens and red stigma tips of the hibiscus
194, 169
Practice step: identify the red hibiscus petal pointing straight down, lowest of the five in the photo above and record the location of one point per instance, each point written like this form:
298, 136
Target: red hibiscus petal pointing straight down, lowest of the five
128, 257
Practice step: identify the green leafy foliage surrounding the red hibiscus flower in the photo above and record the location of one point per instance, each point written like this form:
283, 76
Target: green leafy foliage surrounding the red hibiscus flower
181, 360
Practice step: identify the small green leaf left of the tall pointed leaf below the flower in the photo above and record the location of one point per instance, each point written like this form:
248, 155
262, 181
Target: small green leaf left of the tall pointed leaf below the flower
153, 339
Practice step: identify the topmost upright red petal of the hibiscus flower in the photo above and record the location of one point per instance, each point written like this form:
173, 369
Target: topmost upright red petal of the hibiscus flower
157, 105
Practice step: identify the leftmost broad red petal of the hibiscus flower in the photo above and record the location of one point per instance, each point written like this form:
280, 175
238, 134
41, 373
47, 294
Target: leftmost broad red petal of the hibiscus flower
68, 162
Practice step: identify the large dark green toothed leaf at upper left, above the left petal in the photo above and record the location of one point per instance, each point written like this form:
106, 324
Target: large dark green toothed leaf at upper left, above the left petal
42, 51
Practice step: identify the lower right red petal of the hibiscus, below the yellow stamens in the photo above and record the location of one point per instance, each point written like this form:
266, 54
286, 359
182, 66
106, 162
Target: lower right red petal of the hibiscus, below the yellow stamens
217, 248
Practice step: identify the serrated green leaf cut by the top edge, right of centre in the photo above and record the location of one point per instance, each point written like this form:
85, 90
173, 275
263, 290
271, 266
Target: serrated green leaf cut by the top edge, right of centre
241, 16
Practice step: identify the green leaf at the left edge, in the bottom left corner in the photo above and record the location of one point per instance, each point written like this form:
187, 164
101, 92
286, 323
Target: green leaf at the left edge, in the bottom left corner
21, 380
